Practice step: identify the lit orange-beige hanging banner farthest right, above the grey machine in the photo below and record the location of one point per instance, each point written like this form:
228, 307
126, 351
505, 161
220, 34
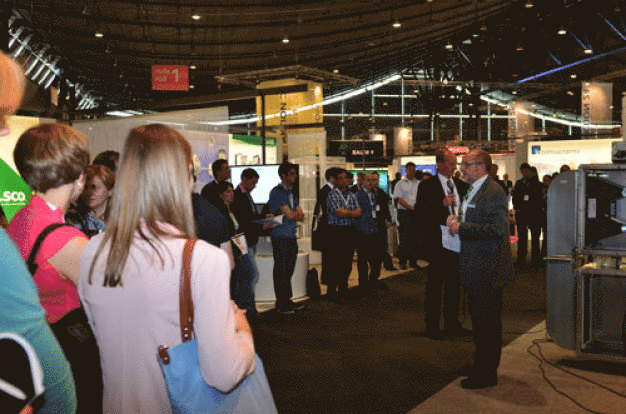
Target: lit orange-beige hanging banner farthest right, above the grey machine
595, 103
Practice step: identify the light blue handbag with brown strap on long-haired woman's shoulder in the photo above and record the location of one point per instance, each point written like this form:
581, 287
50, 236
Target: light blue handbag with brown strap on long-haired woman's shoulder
187, 390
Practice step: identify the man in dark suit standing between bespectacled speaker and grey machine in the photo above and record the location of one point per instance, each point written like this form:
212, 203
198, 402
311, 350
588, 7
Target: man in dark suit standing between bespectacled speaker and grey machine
527, 200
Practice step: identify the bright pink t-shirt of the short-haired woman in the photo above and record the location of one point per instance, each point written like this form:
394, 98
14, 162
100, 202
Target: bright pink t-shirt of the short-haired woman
58, 295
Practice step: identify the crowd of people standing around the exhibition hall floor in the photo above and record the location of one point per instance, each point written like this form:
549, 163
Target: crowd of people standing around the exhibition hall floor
95, 257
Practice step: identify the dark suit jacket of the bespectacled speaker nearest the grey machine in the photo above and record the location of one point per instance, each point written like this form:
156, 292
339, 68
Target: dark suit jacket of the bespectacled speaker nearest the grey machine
485, 258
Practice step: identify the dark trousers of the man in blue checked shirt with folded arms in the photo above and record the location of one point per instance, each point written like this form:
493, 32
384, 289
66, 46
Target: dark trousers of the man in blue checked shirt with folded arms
341, 252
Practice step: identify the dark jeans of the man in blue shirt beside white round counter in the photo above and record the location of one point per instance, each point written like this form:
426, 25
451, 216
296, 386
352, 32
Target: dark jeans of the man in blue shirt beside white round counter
285, 254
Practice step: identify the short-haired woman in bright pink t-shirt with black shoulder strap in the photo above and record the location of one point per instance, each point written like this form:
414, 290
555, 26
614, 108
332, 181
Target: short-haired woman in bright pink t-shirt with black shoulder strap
51, 158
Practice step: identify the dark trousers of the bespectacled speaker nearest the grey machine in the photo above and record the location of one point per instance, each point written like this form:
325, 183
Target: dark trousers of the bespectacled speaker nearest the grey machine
485, 306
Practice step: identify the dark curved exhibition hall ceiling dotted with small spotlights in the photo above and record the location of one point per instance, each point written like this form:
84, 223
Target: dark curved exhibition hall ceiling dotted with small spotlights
109, 46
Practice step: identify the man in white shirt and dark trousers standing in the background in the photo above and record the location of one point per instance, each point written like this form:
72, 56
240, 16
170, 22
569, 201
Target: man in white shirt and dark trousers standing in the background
405, 194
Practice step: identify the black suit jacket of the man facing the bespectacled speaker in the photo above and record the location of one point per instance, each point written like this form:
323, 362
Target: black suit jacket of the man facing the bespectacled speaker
431, 213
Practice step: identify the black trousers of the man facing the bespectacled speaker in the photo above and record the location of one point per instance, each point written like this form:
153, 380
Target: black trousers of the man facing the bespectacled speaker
443, 274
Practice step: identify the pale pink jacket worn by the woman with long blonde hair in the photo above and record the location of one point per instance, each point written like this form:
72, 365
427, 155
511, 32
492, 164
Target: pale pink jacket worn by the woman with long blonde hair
132, 320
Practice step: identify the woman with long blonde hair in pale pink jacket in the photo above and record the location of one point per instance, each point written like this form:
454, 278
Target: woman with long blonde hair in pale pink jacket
130, 277
